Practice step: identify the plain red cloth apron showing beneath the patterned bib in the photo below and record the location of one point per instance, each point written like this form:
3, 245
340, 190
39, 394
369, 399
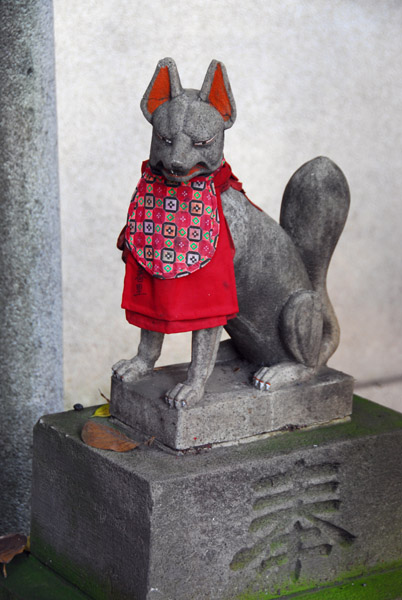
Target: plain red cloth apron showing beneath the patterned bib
203, 299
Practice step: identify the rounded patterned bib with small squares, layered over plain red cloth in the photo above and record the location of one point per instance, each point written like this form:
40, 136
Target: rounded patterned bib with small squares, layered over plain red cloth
173, 229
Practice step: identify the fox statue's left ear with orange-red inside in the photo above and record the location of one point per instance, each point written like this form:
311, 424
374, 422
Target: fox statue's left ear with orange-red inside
165, 85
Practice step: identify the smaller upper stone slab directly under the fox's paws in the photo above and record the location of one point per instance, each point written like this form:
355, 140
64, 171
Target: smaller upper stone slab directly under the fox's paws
231, 409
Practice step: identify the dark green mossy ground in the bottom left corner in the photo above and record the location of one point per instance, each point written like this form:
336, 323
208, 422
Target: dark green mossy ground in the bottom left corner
28, 579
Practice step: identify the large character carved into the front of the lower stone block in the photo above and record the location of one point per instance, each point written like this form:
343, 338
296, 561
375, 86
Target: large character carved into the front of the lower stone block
292, 519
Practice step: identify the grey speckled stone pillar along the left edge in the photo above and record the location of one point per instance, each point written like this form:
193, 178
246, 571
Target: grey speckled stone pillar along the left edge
30, 279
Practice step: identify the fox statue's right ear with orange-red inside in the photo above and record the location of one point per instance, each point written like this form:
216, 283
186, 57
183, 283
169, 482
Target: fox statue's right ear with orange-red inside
217, 91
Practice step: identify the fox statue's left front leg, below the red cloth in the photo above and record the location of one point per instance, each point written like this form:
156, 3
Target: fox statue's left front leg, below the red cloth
149, 351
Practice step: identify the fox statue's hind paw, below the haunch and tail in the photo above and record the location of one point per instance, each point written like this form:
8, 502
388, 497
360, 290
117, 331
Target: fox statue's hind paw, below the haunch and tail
280, 375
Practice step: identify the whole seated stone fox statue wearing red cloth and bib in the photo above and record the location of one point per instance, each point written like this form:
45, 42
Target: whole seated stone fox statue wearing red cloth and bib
190, 225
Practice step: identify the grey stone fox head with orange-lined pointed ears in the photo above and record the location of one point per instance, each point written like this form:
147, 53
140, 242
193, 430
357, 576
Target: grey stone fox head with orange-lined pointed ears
188, 125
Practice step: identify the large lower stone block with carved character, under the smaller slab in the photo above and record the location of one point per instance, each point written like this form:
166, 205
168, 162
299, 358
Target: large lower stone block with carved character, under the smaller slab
291, 512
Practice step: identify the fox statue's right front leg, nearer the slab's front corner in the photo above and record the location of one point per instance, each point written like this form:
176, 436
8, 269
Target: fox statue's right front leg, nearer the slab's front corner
205, 344
